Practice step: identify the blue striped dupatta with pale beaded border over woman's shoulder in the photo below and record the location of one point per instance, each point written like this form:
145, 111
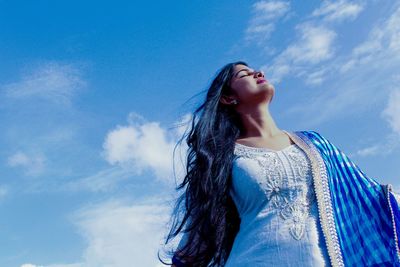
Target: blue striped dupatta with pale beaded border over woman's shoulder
360, 217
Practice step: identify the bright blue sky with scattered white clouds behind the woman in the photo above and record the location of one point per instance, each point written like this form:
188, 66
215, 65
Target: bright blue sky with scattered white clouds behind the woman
92, 94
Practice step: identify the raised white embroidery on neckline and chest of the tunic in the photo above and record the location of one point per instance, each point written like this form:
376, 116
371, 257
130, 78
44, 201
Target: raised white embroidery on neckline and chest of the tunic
290, 196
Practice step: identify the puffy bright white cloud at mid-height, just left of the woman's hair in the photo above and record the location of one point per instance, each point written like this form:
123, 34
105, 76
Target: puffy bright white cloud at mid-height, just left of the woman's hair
138, 146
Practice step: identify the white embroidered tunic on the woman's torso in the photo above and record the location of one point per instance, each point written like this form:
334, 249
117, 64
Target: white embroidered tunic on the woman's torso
274, 194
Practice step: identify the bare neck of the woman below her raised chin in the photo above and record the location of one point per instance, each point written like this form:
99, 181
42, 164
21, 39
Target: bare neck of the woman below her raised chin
258, 123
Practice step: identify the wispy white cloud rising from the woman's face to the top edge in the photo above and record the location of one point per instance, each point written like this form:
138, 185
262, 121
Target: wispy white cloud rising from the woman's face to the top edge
315, 43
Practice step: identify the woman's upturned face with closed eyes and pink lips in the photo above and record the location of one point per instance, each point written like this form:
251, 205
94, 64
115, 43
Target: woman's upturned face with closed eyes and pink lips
250, 86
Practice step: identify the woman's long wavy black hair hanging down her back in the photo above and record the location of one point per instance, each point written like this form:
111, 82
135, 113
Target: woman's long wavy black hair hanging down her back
210, 215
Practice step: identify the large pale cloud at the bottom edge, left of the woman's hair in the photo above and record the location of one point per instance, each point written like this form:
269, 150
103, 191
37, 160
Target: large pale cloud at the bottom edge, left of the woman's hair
121, 234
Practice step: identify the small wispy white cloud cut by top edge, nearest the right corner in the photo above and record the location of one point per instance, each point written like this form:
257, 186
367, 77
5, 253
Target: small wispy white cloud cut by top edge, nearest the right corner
338, 10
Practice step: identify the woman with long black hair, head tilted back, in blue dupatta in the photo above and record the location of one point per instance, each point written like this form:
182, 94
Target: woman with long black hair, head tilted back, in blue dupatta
257, 195
